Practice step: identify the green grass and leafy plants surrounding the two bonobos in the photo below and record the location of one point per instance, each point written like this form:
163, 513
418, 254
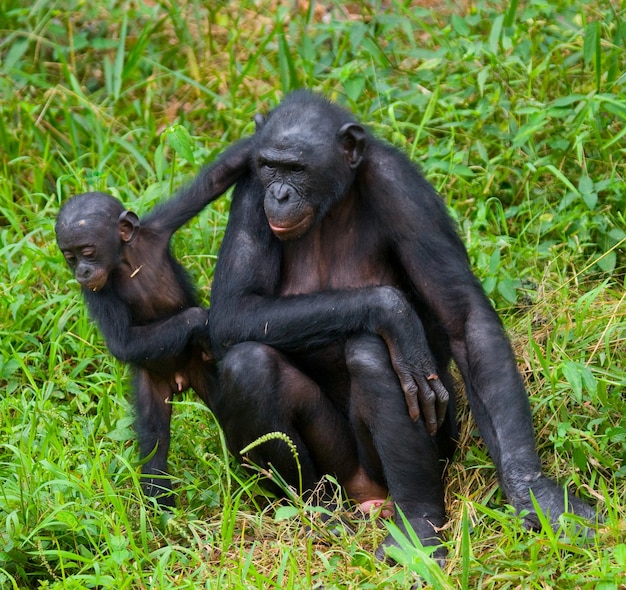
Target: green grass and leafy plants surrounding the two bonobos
517, 113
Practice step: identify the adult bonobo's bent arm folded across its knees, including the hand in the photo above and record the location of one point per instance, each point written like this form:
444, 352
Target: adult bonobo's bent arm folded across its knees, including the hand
247, 307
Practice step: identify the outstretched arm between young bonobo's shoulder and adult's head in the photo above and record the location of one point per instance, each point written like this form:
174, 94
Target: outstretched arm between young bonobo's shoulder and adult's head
211, 182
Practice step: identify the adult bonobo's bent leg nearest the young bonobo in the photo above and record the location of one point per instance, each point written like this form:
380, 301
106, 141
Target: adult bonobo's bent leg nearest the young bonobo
261, 391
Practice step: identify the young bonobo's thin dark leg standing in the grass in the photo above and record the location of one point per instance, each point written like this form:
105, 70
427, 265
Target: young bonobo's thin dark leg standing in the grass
152, 423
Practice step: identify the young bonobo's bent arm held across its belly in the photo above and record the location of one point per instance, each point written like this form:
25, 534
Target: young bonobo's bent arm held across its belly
137, 344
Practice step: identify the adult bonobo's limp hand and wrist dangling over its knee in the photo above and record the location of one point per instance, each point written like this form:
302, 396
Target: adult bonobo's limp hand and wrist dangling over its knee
412, 360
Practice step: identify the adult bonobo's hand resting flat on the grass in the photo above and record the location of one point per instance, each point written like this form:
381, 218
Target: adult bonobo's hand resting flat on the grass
551, 499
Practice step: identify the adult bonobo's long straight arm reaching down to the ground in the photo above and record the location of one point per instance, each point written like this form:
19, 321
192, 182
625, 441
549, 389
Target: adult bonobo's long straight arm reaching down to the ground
436, 263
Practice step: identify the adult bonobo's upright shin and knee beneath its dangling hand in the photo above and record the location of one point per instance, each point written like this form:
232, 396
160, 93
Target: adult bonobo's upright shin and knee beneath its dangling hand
390, 443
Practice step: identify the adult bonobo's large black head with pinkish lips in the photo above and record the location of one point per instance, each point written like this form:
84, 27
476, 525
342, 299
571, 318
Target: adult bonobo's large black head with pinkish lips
307, 154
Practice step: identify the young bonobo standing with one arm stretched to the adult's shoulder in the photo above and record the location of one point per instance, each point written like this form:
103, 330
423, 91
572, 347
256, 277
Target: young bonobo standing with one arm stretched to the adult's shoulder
144, 302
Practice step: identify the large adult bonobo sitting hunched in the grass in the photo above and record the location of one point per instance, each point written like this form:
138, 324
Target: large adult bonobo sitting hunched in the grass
338, 255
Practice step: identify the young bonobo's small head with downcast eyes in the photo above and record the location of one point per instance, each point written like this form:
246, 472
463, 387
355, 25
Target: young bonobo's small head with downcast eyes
91, 231
